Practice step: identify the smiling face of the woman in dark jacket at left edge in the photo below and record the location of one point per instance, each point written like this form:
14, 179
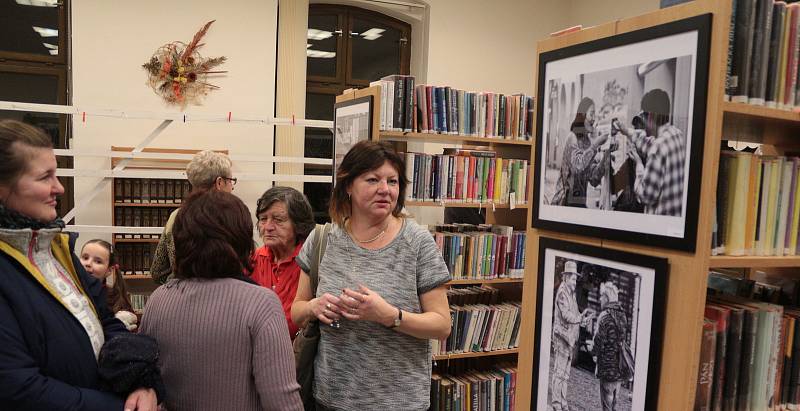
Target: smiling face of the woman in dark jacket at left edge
34, 194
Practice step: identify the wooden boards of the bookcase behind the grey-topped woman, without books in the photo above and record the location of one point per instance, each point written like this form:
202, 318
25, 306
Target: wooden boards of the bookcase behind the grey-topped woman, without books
498, 213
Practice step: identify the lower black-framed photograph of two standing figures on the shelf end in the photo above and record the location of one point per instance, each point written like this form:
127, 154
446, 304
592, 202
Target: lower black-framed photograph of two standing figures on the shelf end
599, 329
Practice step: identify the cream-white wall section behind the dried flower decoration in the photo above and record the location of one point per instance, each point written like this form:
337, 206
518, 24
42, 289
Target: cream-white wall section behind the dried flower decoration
110, 42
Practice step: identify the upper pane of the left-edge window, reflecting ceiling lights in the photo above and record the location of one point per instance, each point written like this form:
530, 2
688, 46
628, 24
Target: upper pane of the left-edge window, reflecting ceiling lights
29, 26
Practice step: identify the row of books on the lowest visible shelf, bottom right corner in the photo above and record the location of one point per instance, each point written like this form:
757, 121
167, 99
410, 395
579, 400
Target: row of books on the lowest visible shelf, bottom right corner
750, 343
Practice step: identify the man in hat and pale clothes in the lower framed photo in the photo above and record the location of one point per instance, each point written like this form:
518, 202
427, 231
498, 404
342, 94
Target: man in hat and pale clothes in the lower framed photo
567, 319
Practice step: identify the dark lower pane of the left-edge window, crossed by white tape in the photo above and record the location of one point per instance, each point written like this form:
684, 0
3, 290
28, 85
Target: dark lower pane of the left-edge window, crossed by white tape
32, 88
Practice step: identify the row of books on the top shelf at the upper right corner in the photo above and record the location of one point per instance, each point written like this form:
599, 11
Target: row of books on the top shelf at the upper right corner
763, 53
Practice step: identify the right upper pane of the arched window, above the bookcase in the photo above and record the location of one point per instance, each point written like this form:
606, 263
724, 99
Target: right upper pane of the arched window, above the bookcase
375, 50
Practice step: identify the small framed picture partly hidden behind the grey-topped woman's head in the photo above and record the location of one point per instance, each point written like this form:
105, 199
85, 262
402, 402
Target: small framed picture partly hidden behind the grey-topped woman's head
352, 122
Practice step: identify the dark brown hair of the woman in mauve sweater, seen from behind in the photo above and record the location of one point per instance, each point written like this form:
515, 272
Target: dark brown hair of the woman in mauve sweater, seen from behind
213, 236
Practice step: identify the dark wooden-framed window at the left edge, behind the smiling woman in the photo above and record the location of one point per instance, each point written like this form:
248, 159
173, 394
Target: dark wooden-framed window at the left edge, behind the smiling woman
34, 56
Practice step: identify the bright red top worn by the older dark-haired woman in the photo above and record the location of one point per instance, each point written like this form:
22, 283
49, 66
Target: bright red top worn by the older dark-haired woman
281, 278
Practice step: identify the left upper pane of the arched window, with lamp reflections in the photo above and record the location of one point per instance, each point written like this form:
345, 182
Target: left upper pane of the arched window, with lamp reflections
321, 45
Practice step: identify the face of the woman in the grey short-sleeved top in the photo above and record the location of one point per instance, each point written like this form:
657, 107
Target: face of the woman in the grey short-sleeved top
374, 193
